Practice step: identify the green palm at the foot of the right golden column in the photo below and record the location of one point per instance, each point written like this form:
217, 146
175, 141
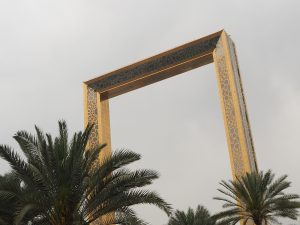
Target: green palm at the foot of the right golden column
258, 198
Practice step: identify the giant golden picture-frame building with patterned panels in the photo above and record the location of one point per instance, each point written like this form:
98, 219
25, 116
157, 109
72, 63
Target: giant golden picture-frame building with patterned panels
217, 48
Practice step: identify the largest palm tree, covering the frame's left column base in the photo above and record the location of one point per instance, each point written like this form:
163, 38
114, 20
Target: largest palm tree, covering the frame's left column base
69, 186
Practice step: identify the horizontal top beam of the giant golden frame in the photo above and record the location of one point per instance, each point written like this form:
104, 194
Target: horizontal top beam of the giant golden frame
156, 68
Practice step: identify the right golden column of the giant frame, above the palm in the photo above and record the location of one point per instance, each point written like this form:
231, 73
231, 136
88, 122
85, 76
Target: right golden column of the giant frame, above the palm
239, 139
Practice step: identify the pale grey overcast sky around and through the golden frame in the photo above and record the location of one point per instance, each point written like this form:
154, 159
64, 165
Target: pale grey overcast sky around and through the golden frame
48, 48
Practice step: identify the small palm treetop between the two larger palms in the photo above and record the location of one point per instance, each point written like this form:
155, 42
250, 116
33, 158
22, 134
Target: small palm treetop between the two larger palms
200, 216
